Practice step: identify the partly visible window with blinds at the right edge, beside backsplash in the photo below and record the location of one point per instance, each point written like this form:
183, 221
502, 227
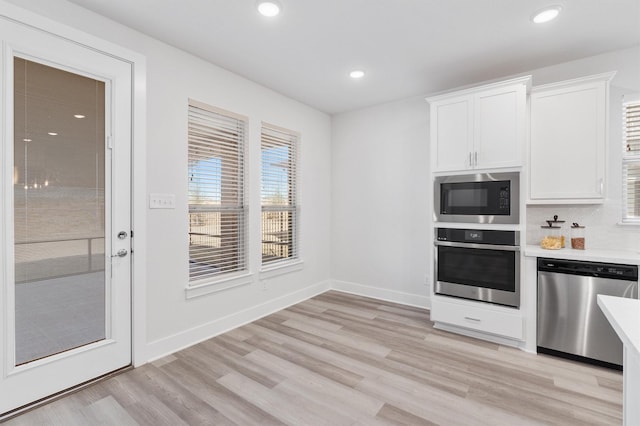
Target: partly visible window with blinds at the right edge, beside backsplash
631, 162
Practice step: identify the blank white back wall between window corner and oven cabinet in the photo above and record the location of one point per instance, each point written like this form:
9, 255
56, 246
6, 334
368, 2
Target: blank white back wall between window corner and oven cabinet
380, 211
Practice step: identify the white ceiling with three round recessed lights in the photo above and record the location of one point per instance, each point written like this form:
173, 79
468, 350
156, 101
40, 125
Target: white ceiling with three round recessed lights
406, 47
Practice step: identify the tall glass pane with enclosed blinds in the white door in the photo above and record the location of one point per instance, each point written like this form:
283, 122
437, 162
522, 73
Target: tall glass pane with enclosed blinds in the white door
59, 210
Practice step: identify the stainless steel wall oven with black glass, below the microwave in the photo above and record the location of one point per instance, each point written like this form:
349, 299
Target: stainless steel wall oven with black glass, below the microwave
476, 264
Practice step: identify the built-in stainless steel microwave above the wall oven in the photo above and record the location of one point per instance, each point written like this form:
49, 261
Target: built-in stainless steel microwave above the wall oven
478, 198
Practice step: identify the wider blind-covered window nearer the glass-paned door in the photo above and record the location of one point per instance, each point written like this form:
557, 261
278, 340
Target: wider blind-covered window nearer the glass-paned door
217, 225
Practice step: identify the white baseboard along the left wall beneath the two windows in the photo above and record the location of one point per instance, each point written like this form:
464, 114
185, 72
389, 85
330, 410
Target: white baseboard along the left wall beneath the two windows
179, 341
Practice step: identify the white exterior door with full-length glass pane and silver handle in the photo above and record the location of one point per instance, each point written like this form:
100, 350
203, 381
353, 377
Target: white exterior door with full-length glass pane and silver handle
65, 212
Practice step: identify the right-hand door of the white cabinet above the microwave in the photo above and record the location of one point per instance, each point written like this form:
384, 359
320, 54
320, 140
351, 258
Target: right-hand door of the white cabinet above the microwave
499, 127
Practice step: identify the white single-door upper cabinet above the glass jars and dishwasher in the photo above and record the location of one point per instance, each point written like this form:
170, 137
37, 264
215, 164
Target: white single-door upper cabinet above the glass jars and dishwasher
569, 122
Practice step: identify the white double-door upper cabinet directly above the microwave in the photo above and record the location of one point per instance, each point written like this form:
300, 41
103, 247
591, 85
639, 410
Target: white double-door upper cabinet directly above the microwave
479, 128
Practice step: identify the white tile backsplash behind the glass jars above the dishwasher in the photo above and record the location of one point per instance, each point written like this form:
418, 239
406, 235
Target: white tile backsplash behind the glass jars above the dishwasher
601, 221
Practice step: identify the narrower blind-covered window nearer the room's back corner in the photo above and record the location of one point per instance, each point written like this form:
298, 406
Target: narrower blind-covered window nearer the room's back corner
279, 196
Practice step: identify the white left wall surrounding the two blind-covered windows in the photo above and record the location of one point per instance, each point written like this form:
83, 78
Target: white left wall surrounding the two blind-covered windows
173, 77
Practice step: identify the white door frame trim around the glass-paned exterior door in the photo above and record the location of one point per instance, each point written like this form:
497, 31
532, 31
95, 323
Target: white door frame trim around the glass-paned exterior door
138, 161
